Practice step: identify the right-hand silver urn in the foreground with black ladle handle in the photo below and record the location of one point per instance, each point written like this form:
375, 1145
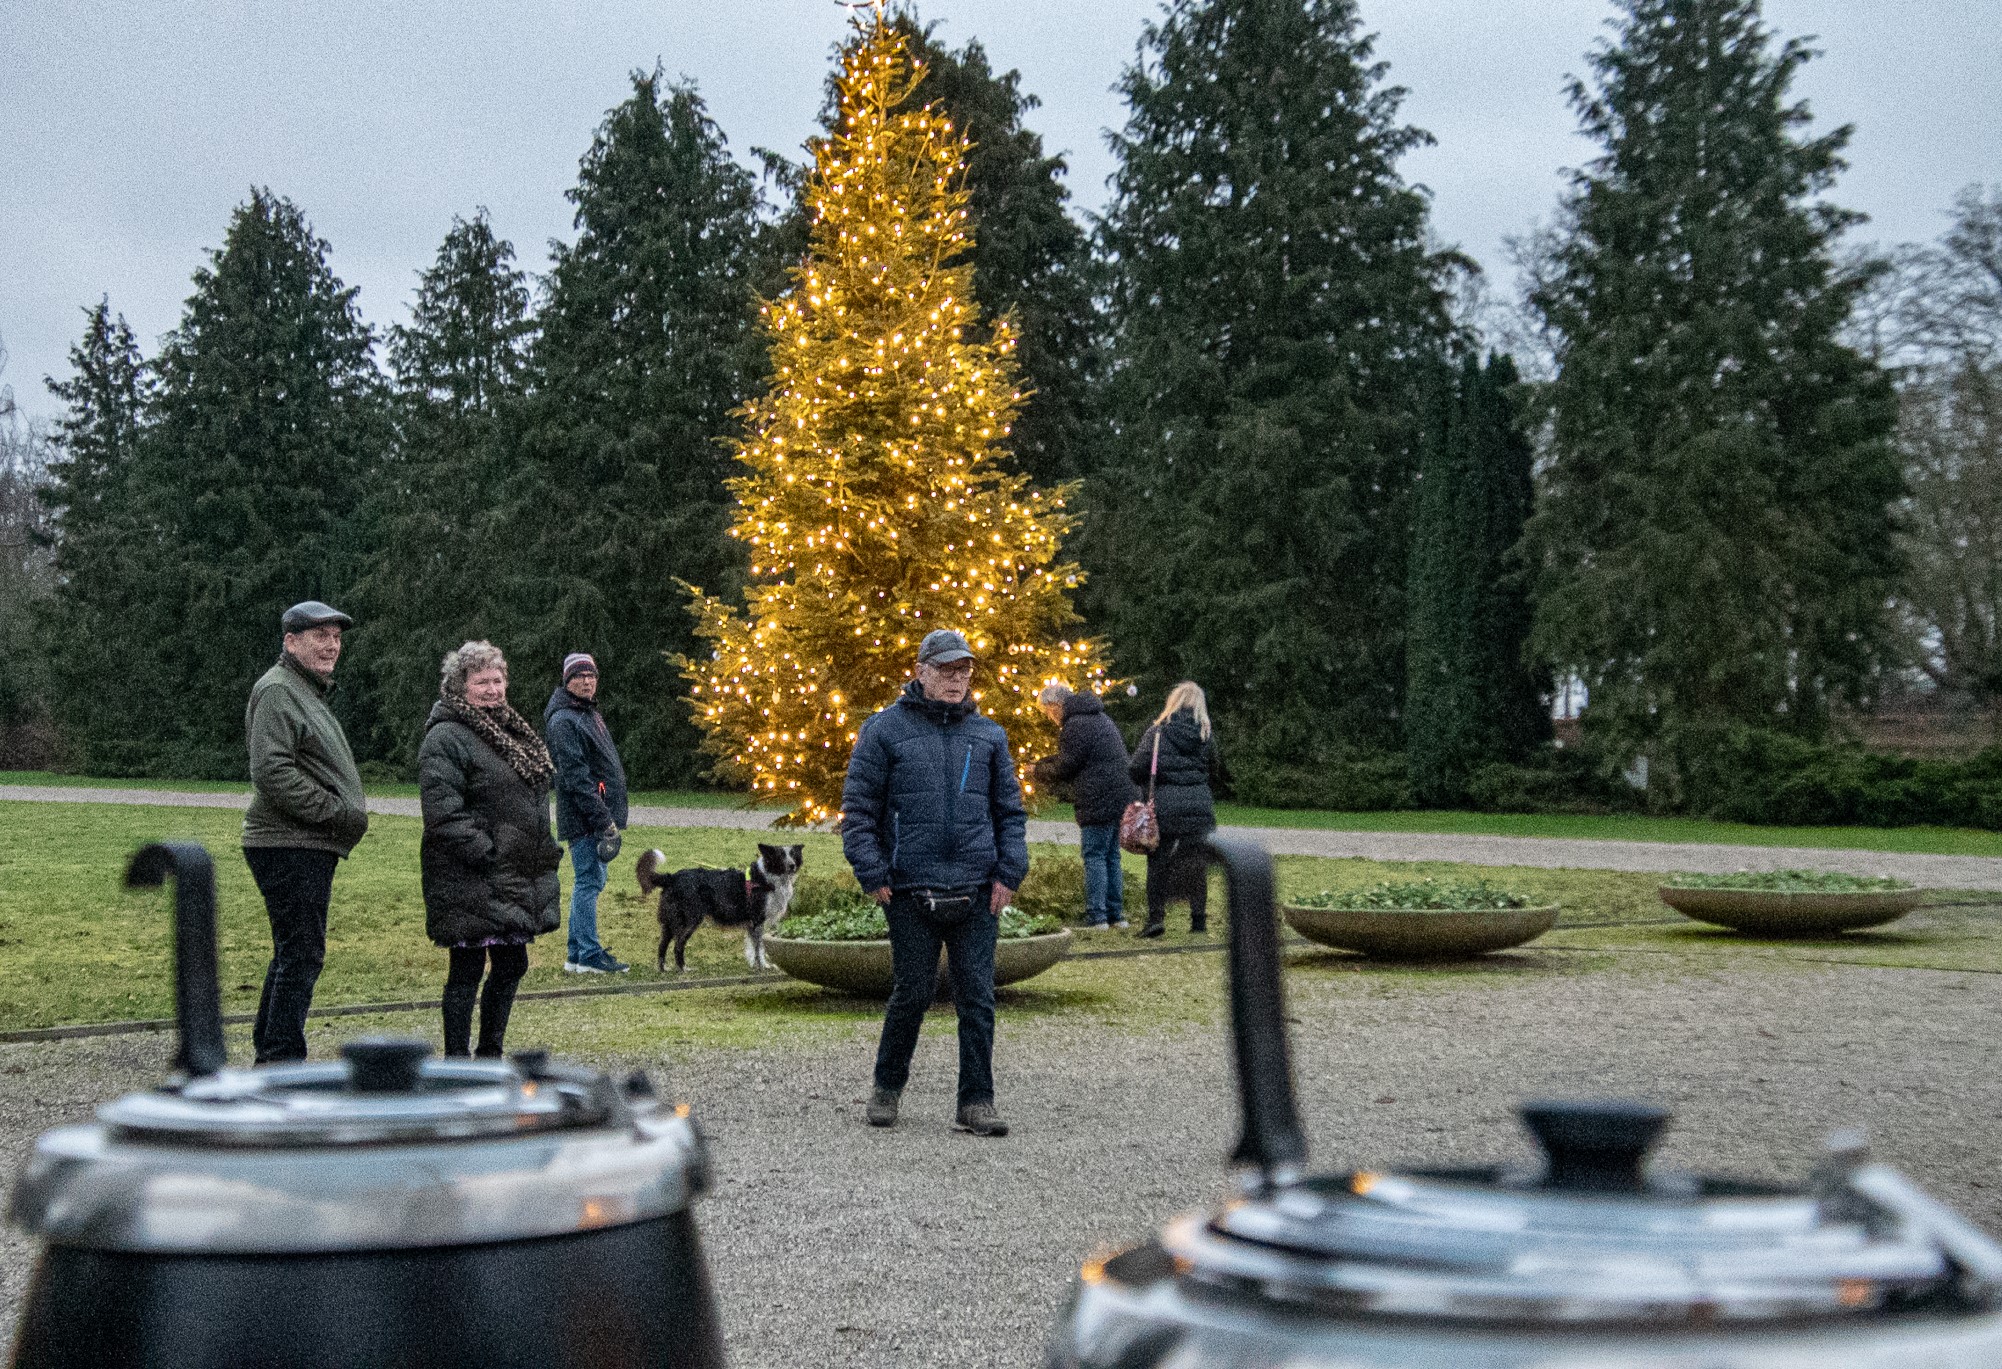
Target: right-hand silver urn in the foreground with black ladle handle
1587, 1262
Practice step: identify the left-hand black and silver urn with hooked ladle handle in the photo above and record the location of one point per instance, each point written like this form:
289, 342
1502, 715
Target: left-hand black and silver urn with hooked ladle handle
381, 1210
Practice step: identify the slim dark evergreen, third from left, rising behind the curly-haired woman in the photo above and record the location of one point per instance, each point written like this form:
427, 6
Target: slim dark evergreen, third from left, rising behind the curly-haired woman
435, 507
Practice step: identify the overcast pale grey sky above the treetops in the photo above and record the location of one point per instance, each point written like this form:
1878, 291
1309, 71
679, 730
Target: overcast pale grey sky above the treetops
131, 129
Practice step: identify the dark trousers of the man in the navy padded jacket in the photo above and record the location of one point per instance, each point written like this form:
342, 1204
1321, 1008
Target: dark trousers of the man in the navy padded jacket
970, 954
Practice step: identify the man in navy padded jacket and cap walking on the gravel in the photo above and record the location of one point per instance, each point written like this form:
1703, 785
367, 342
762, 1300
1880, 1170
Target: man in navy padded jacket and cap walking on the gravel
934, 826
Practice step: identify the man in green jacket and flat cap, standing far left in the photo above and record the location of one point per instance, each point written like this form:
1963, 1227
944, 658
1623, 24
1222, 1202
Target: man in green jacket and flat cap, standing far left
307, 814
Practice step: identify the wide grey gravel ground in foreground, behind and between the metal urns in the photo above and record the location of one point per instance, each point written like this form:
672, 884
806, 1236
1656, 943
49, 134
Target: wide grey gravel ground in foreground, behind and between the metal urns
842, 1246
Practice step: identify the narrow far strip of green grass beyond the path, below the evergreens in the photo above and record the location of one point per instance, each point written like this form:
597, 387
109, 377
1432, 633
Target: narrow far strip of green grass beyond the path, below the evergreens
1561, 826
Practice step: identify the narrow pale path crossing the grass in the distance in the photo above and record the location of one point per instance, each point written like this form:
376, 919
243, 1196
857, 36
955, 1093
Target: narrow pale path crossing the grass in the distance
1935, 872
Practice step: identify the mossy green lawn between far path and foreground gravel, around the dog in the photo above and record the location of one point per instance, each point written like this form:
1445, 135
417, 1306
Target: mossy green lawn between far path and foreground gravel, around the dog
77, 948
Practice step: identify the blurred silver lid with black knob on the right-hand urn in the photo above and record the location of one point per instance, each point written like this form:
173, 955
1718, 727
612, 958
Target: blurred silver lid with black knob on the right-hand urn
1593, 1238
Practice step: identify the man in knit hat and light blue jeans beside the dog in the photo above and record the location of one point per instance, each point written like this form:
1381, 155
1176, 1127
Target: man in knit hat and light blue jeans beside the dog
592, 808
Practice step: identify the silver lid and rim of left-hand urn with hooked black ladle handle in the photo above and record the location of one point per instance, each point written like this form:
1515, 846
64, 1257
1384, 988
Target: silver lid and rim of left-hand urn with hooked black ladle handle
379, 1150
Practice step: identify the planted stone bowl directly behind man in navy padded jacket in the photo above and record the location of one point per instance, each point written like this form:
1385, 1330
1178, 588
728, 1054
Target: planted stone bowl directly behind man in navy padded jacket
840, 940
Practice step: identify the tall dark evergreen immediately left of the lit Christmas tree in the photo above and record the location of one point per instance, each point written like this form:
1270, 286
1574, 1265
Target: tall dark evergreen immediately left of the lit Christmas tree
648, 345
